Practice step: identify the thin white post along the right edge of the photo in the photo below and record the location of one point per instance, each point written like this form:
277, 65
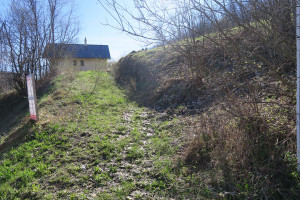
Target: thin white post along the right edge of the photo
298, 82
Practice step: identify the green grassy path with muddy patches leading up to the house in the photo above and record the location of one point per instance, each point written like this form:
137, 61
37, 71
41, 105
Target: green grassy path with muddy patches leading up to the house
92, 143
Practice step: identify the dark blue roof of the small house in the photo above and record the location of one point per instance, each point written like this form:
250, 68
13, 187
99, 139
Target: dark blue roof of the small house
77, 51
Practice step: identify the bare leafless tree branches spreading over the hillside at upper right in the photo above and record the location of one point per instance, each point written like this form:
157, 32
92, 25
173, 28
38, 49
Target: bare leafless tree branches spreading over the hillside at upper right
264, 26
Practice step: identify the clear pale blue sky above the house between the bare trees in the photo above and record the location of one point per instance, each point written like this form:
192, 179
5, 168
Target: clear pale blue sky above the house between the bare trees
91, 15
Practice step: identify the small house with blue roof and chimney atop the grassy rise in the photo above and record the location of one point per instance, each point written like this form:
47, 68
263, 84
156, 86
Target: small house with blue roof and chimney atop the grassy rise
82, 56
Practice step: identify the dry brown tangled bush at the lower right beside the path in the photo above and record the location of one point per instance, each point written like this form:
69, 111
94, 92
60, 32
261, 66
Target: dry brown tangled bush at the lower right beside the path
253, 145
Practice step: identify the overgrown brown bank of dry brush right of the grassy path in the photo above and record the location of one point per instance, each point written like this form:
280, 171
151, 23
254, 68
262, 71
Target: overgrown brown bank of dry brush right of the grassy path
240, 112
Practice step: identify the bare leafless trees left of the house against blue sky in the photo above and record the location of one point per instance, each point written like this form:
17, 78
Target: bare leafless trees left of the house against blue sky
26, 29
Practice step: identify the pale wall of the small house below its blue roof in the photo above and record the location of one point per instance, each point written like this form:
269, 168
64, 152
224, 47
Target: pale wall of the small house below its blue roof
82, 64
